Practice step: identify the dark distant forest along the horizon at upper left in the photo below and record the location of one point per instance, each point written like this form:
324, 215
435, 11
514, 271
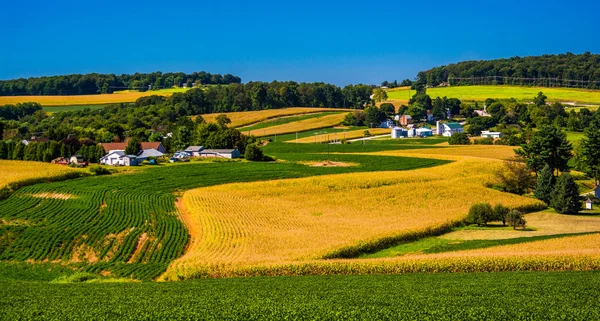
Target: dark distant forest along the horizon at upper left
107, 83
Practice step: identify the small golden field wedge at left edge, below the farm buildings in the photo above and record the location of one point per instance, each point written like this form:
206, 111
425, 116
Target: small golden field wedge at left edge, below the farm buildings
18, 171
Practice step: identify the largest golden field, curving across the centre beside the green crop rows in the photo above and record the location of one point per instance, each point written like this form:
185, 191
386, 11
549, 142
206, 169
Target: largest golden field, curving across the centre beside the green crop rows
299, 220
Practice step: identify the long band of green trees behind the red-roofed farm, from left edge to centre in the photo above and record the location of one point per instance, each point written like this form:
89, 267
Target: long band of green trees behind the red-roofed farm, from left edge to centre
152, 117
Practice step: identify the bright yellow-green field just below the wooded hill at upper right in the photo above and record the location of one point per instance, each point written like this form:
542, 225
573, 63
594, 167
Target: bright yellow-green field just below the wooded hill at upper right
480, 93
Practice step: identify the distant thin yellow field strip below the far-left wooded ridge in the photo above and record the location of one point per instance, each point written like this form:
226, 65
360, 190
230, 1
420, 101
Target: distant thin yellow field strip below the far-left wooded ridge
121, 97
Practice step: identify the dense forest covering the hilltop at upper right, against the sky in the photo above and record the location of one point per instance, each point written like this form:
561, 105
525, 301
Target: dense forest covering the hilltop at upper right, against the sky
564, 70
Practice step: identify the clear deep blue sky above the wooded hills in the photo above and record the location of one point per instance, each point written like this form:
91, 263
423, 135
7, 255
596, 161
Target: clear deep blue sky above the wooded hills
338, 42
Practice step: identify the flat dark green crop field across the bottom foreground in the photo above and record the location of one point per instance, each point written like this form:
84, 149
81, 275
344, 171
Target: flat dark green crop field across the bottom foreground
485, 296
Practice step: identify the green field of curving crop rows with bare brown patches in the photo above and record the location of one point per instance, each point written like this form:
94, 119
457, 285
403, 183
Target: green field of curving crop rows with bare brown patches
99, 228
